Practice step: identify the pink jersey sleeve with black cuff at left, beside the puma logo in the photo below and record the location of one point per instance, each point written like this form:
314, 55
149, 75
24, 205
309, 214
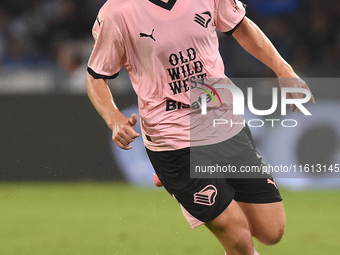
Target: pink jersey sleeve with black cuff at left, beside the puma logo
108, 55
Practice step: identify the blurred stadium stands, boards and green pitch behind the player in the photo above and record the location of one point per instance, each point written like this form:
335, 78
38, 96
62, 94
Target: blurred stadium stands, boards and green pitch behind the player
50, 132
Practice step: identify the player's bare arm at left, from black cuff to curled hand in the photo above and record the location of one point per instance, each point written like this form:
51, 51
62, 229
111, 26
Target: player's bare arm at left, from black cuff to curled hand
122, 128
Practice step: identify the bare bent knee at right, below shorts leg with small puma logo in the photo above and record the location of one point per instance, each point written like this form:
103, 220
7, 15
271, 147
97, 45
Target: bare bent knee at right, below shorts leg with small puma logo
267, 221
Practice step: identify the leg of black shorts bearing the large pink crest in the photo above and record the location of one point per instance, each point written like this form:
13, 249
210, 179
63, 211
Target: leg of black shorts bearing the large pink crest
202, 199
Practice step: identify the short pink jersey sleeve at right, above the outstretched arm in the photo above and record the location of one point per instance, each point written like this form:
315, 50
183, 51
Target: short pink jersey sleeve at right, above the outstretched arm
229, 14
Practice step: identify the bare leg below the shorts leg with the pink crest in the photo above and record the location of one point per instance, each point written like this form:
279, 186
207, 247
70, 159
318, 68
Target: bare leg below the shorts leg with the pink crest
232, 230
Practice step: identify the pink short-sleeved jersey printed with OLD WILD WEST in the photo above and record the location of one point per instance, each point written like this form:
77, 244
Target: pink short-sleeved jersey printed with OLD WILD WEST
164, 48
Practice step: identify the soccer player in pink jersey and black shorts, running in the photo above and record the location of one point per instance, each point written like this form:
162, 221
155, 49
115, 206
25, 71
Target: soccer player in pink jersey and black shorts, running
164, 45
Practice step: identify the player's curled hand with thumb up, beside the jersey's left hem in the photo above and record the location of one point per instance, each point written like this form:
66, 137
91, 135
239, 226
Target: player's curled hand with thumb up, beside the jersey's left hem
123, 133
